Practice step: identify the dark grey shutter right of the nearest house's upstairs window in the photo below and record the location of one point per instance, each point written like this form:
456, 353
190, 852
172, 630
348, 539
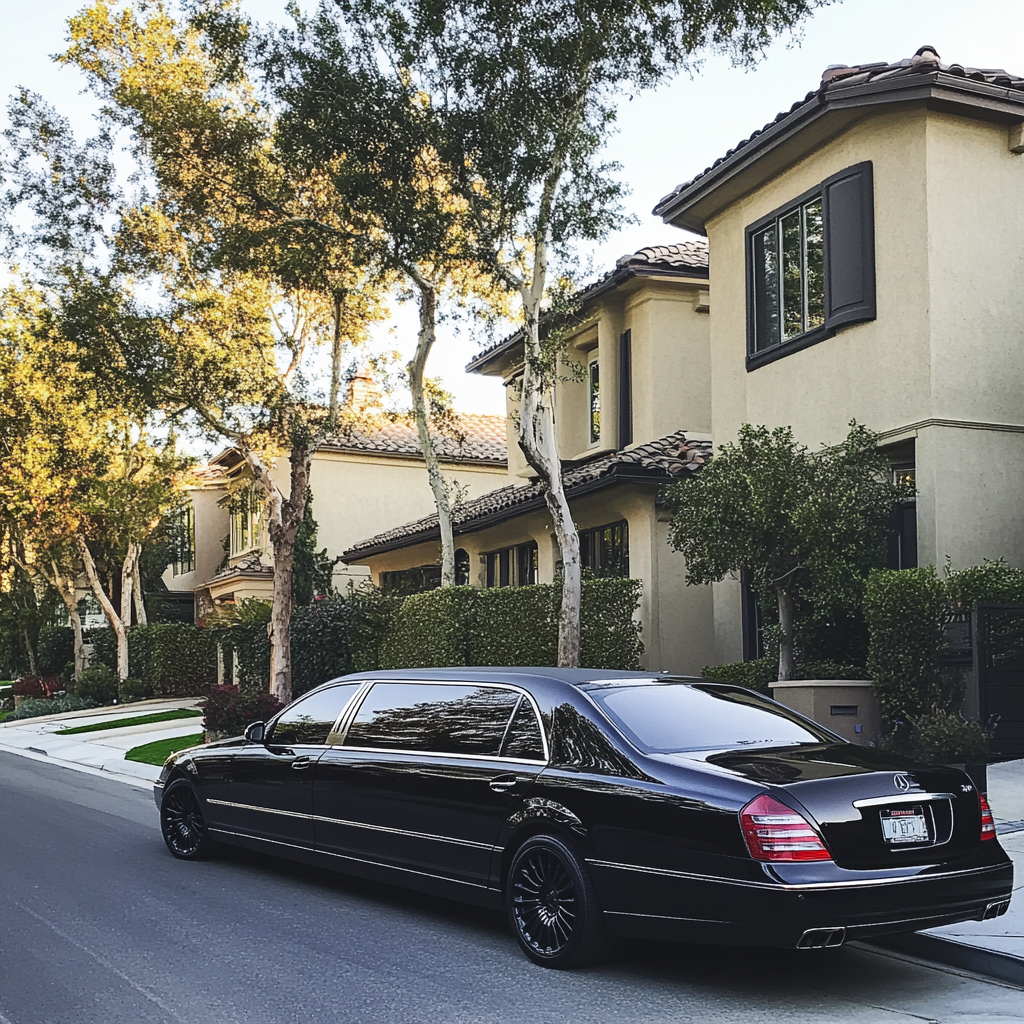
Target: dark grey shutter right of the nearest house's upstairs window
849, 218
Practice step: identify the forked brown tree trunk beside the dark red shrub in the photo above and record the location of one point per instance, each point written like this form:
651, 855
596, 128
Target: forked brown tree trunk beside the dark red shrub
284, 519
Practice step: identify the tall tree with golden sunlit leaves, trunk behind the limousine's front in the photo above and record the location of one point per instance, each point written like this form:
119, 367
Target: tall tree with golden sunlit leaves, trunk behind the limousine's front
262, 270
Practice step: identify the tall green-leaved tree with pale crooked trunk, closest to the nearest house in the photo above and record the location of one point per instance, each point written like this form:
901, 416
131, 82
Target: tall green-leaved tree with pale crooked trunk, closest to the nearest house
528, 94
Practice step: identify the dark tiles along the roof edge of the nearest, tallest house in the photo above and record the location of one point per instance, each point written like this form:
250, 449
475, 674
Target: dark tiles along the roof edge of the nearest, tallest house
839, 79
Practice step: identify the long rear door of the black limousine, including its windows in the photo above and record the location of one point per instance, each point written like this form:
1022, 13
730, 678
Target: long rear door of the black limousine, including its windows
423, 782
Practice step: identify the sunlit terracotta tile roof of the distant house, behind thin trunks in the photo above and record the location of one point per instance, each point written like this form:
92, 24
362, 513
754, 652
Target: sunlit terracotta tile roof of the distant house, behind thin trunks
484, 440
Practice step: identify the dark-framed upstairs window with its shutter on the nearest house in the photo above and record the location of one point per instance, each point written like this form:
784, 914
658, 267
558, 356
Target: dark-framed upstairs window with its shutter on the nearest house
810, 267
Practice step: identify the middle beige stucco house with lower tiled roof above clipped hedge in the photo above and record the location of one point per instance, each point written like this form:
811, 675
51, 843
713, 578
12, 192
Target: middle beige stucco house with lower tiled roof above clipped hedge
636, 417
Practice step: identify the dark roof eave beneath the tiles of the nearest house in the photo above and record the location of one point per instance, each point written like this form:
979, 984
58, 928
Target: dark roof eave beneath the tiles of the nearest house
823, 117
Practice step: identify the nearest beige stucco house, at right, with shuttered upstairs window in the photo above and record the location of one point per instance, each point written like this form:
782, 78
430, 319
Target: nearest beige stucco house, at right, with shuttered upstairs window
868, 257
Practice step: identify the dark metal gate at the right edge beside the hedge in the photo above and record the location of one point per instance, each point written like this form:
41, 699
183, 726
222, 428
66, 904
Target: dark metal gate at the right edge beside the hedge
1001, 674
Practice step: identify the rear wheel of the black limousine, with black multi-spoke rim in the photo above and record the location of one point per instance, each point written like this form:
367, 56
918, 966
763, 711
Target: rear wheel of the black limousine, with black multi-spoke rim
552, 907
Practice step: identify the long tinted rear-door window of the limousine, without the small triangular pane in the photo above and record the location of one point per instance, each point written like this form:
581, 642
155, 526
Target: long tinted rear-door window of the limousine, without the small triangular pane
433, 717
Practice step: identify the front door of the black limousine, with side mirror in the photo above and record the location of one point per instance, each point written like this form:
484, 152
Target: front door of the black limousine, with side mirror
272, 783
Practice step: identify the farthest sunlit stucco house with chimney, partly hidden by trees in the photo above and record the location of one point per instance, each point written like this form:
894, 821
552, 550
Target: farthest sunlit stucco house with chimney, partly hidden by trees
361, 482
